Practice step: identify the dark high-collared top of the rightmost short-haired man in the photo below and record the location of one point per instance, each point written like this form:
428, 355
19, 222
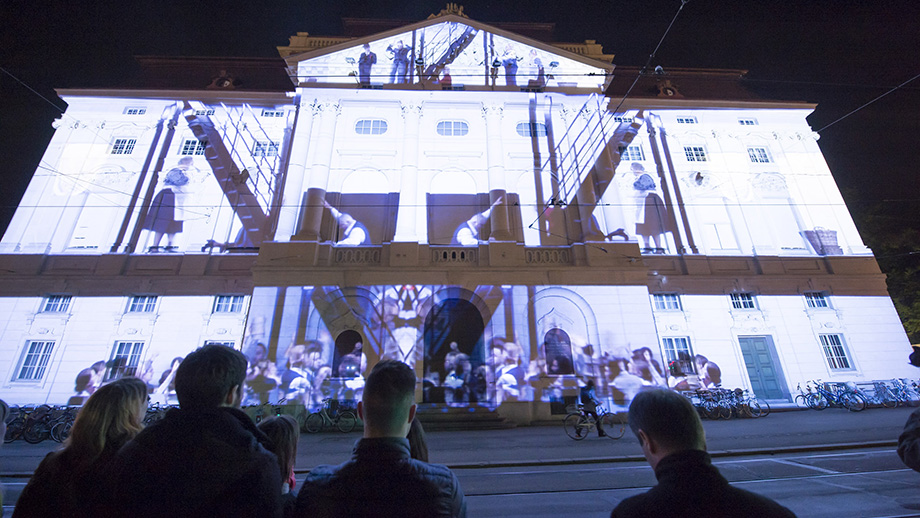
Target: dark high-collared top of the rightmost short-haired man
690, 486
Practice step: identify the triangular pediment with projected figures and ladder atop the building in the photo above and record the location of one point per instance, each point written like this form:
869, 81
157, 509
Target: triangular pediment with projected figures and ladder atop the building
449, 51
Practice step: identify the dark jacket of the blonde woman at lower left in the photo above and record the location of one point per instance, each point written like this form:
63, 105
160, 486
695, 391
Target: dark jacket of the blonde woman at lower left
62, 487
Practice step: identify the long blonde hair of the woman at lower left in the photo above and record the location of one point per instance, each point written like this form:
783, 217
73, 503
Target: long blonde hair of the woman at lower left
110, 417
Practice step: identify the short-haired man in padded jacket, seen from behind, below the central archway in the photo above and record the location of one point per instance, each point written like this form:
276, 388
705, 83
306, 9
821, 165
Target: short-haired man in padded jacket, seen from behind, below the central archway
381, 479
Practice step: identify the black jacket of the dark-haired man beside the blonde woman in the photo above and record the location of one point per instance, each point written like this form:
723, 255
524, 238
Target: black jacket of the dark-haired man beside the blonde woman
198, 463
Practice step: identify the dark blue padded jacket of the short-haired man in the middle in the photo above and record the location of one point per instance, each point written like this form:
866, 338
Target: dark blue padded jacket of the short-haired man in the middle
381, 480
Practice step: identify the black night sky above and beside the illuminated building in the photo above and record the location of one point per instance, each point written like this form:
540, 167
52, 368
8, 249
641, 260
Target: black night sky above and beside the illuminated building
839, 54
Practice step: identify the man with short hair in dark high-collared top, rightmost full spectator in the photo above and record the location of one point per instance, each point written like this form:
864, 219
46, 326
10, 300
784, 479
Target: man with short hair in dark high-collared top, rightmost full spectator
672, 439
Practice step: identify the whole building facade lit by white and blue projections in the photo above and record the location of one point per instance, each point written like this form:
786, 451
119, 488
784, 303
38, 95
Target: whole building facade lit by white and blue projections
474, 202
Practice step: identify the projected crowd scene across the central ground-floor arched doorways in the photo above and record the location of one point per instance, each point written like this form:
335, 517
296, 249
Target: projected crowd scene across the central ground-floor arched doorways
308, 343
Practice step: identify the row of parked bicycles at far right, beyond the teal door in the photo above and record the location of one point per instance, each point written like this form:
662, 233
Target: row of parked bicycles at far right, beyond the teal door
818, 395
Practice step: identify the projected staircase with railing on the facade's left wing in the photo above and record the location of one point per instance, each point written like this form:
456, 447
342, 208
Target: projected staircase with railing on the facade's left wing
249, 192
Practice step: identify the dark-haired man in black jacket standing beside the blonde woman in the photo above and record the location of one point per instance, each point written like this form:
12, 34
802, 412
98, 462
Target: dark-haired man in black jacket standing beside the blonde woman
205, 458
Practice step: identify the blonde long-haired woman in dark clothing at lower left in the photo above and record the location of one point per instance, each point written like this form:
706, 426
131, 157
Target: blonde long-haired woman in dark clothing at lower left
69, 482
